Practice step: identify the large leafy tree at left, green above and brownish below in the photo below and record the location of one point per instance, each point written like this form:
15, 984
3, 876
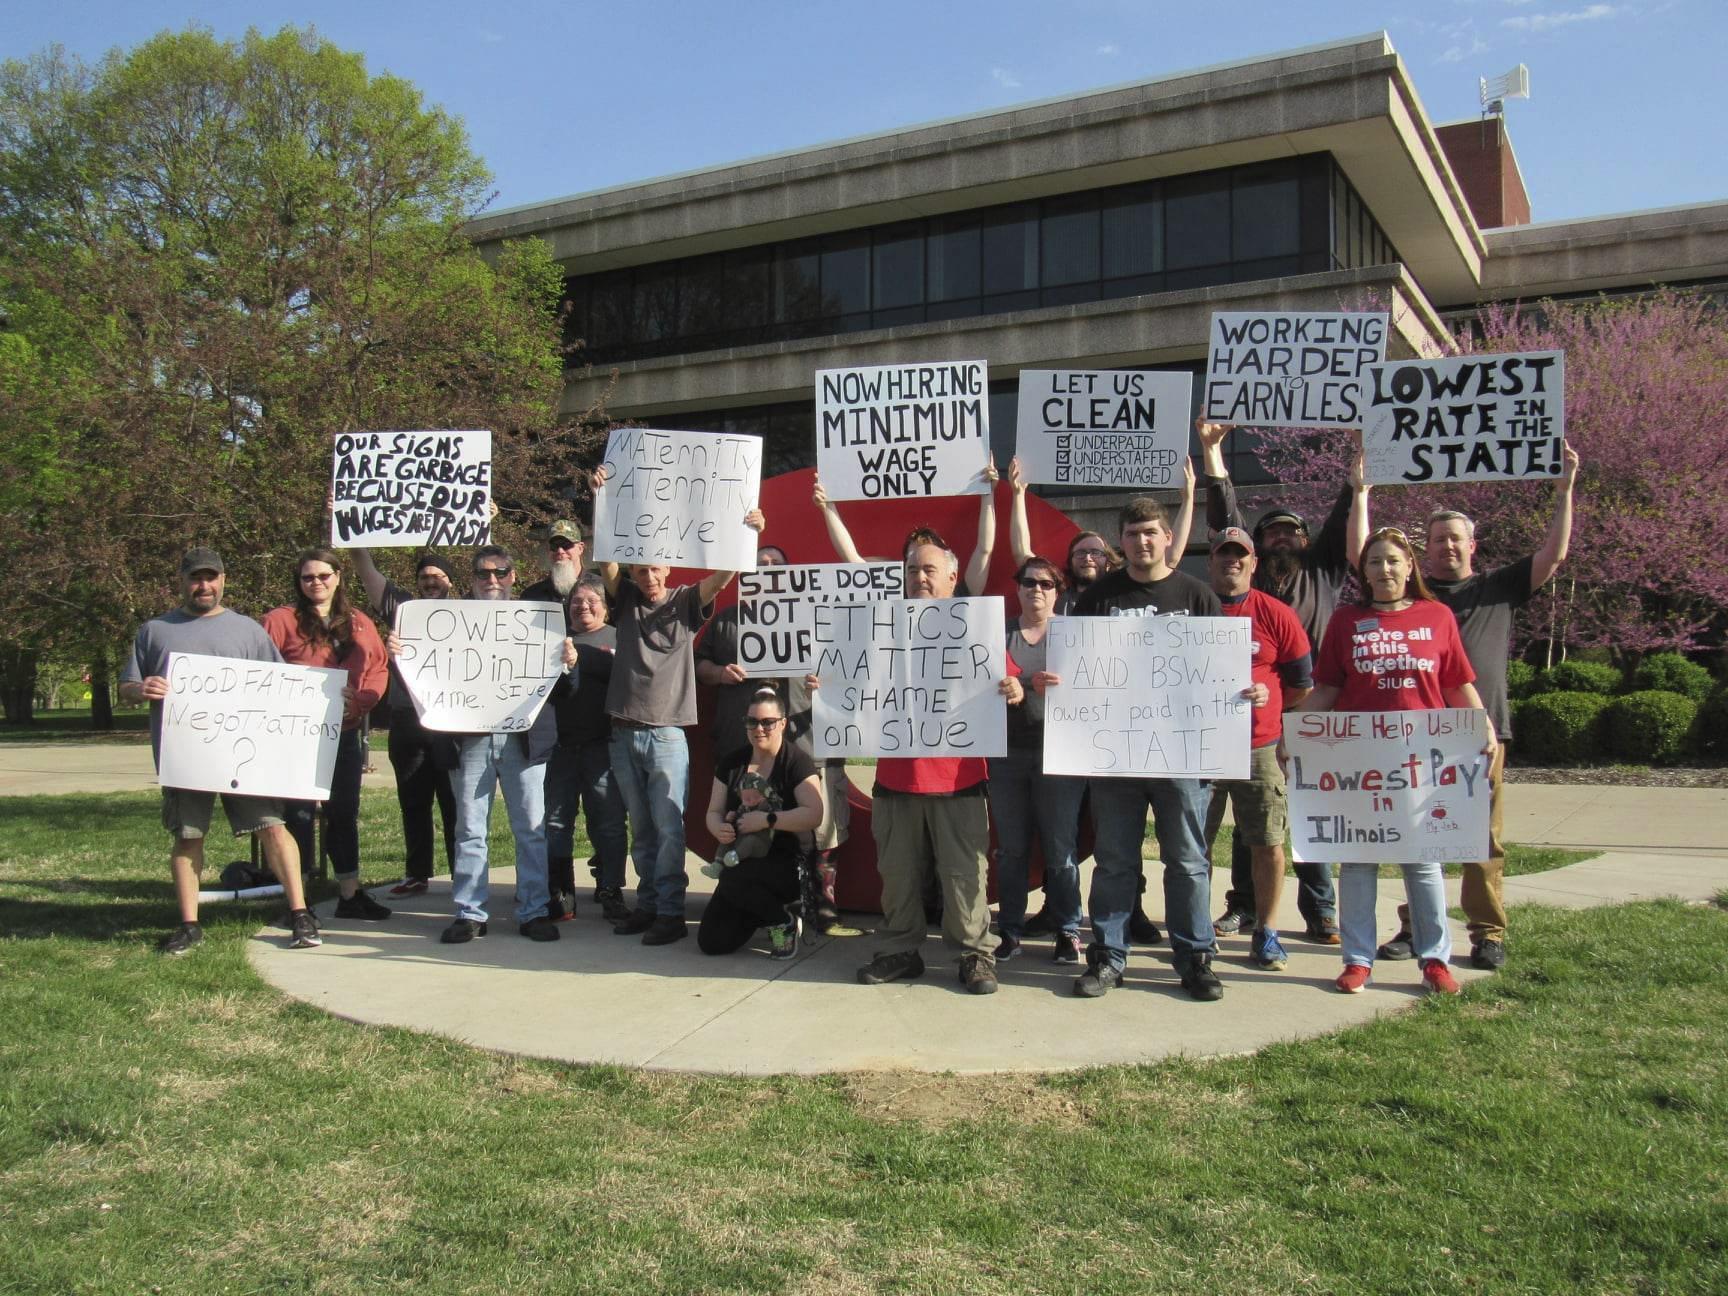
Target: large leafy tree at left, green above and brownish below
213, 258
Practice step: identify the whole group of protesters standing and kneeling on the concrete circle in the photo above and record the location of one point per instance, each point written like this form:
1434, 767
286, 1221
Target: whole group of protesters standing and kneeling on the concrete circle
611, 744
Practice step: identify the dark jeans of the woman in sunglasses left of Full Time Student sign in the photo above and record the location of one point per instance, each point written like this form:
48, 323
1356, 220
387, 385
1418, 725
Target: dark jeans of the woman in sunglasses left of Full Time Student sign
1026, 799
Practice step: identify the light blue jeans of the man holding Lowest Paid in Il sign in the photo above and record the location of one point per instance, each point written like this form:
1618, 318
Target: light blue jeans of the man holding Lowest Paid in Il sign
486, 763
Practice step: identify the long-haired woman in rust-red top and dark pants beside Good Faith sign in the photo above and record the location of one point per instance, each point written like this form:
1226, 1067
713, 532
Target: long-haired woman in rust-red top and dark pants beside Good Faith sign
322, 630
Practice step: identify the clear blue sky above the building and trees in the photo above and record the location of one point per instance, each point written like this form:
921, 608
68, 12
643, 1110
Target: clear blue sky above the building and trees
1629, 110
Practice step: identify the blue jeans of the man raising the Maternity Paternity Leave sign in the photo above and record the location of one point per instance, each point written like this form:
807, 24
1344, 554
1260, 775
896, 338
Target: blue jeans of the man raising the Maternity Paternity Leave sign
652, 768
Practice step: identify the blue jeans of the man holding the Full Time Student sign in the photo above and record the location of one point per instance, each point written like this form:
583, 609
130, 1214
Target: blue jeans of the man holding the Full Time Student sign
1179, 815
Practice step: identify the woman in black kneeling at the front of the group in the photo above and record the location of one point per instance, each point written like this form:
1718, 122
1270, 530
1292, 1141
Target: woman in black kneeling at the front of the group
785, 789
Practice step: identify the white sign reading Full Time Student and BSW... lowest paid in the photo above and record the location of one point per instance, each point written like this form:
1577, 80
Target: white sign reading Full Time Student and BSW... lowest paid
1148, 697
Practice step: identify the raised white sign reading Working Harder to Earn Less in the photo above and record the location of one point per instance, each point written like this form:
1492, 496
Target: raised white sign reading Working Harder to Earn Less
1292, 371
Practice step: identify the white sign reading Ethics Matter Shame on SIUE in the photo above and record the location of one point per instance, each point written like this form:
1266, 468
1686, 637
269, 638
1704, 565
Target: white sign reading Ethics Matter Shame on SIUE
910, 677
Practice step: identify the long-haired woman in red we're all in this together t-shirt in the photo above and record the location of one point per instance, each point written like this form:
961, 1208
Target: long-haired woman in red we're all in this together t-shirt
1397, 651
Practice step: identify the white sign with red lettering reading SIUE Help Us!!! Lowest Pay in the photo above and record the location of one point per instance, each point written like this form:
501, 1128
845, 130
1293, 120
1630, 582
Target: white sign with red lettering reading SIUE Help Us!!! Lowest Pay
1392, 787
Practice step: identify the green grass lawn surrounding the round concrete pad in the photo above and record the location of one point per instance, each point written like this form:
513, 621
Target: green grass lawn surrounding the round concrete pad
179, 1126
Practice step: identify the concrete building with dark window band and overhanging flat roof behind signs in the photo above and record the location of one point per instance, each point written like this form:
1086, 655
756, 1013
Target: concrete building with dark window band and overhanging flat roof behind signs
1090, 232
